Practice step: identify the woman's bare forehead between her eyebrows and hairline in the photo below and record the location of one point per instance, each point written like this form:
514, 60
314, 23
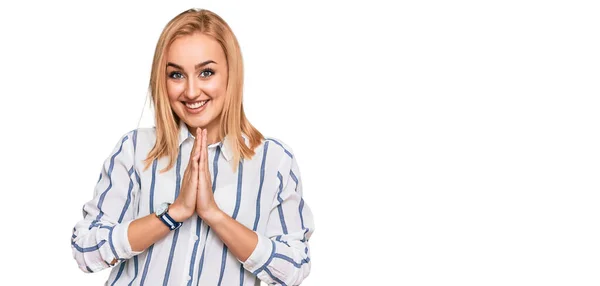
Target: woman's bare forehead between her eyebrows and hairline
192, 49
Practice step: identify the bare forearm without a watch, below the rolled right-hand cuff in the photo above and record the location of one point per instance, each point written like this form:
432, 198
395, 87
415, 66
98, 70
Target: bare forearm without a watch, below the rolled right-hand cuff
240, 240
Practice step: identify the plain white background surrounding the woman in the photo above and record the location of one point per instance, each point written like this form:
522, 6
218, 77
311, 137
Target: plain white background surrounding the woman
440, 142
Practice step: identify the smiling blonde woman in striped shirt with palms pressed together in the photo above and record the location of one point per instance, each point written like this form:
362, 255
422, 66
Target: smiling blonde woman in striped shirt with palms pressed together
202, 198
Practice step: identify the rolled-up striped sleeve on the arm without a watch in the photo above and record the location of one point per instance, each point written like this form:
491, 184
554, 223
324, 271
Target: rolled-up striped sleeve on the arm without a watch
282, 255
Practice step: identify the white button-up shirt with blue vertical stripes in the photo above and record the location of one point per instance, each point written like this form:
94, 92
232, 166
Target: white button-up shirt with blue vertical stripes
264, 194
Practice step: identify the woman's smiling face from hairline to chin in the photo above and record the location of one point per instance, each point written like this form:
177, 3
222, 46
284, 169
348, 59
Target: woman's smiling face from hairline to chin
197, 80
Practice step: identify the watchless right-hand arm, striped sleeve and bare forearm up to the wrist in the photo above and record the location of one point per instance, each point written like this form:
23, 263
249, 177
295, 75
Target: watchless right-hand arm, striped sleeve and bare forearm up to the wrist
281, 255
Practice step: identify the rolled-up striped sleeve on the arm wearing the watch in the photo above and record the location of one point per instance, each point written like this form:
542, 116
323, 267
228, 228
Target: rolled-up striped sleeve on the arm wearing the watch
101, 236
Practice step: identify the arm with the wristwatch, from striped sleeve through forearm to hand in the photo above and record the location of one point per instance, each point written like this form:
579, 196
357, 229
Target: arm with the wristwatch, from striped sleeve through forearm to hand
108, 233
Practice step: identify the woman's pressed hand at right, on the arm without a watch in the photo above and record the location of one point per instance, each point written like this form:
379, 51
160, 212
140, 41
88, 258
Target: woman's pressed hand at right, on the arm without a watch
205, 200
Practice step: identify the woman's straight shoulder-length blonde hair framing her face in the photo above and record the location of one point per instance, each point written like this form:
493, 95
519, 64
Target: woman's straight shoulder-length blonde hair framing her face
233, 120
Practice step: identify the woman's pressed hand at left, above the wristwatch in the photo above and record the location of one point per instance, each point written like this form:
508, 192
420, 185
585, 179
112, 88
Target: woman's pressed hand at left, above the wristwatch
185, 204
